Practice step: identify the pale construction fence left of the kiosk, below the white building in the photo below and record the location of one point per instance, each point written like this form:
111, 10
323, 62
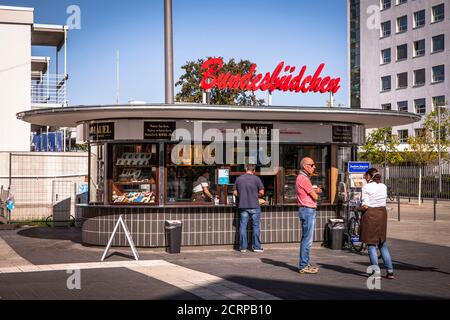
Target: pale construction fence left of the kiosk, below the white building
42, 182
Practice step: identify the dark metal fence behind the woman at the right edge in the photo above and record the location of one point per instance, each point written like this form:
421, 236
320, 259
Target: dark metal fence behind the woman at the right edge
427, 182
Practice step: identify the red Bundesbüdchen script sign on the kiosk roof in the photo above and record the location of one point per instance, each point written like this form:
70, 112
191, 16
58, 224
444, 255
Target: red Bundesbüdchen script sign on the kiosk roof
270, 81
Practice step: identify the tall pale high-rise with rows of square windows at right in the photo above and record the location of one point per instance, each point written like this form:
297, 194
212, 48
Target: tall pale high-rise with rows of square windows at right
399, 57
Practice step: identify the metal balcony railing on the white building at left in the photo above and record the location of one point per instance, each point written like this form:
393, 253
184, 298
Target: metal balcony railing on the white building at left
49, 89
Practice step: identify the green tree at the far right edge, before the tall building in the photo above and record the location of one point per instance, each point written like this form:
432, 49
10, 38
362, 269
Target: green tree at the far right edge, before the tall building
425, 148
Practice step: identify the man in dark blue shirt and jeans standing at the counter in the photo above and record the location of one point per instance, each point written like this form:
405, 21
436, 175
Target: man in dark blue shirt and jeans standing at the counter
248, 188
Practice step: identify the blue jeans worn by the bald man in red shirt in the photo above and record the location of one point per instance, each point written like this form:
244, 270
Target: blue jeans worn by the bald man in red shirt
307, 218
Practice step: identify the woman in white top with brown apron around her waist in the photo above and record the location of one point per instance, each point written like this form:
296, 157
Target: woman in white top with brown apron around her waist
374, 220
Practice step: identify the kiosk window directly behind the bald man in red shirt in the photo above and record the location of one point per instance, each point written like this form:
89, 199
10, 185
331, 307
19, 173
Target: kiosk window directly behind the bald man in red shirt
292, 155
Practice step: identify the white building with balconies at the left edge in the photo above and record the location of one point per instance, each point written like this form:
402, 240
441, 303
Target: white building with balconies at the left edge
26, 81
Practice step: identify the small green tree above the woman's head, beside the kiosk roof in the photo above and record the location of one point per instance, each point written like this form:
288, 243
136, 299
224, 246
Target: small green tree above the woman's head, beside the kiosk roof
381, 144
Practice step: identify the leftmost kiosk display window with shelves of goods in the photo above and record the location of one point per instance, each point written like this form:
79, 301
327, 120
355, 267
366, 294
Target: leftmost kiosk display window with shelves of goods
134, 173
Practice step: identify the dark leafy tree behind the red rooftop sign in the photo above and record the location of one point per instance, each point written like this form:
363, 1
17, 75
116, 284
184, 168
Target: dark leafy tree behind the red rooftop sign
191, 91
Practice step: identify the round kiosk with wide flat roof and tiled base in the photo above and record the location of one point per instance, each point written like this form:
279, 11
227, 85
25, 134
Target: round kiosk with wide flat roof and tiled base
138, 169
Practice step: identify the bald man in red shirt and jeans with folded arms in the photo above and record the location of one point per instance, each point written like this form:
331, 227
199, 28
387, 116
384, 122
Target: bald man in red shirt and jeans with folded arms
307, 196
